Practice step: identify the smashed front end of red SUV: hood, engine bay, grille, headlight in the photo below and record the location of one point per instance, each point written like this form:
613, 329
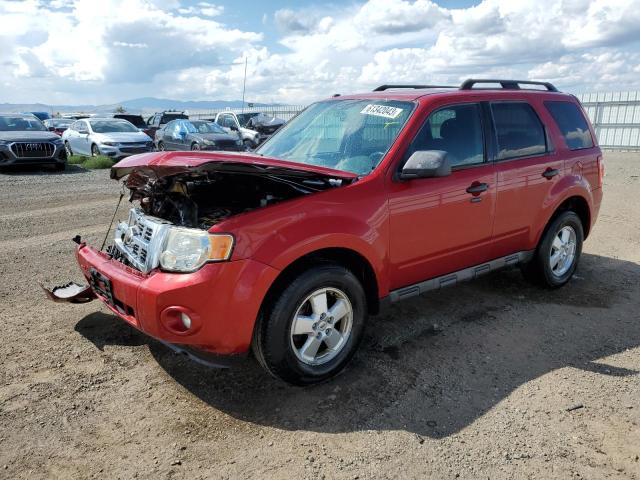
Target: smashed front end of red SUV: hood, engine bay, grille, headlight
177, 200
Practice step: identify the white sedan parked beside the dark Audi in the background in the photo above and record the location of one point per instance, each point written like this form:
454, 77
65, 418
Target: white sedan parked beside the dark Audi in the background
105, 136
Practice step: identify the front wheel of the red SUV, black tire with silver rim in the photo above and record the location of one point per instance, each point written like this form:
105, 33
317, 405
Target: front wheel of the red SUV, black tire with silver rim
299, 307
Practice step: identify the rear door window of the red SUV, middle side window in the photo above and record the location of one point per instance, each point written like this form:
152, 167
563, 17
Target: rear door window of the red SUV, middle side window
519, 130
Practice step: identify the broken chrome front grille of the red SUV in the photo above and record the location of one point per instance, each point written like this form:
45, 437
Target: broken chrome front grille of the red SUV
140, 240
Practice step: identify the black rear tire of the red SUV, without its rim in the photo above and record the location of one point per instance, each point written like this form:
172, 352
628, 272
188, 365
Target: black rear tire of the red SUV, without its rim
539, 270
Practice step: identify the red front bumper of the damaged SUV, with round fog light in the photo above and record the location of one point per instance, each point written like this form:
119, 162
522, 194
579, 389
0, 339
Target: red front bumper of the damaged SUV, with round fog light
222, 300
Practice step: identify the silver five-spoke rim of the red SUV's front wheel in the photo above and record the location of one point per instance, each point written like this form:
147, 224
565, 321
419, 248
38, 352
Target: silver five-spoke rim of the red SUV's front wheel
321, 326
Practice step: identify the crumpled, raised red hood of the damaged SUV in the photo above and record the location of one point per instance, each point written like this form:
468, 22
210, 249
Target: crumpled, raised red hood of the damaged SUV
160, 164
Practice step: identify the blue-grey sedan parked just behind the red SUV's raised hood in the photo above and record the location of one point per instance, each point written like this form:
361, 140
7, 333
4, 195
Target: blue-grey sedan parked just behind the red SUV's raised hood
196, 135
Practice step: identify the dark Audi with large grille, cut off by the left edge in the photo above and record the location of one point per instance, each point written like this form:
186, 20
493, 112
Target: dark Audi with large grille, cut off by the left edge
24, 140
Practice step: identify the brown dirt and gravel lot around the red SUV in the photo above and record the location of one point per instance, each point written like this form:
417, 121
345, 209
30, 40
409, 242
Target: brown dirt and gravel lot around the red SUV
494, 379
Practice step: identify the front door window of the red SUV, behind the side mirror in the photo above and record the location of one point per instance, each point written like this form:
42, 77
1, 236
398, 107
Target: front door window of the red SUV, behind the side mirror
456, 129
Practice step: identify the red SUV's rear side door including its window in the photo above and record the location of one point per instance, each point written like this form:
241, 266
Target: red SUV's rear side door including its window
528, 167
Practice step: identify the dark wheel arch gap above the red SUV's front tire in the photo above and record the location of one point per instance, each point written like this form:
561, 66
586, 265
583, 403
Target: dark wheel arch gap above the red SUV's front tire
355, 262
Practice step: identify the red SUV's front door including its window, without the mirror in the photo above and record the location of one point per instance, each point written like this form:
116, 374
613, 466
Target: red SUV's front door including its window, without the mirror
441, 225
